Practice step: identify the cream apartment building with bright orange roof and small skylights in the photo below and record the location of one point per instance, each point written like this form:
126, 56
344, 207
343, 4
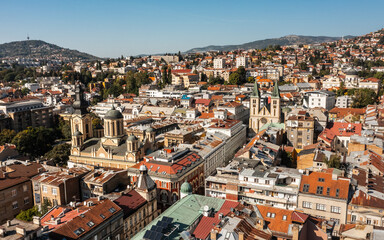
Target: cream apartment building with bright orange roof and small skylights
324, 194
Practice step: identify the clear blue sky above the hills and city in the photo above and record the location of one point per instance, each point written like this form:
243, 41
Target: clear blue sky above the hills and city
112, 28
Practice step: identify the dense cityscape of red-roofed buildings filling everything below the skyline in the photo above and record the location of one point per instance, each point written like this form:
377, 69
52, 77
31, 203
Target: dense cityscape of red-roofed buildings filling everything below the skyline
284, 142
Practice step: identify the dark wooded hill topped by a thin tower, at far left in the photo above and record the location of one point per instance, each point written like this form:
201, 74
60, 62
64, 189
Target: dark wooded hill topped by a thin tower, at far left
40, 49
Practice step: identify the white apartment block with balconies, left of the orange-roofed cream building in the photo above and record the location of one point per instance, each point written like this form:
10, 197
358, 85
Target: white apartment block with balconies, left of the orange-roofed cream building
250, 181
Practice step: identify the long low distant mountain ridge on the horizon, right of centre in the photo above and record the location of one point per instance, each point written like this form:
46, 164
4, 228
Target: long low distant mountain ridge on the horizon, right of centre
260, 44
